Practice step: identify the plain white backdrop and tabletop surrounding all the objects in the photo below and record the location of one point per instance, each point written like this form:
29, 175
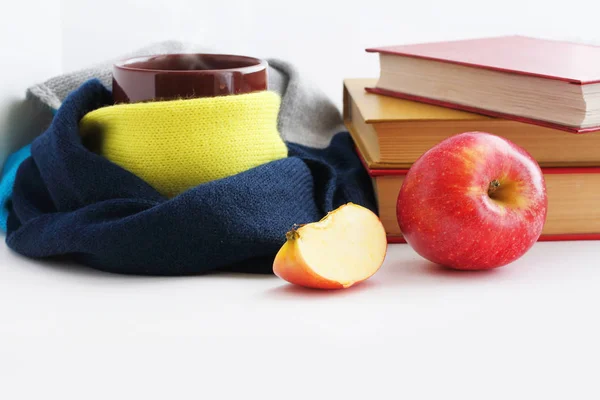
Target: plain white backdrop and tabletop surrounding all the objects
524, 332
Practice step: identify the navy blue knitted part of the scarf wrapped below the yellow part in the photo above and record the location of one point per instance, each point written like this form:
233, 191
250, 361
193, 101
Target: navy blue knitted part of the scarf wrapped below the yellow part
71, 203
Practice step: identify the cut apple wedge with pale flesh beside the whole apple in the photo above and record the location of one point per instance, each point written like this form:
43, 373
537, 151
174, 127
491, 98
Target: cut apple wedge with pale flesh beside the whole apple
347, 246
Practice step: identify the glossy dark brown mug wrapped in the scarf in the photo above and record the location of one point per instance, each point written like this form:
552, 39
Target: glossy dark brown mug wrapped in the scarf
177, 76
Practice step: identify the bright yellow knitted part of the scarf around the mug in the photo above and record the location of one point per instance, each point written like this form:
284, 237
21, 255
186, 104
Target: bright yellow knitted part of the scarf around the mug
175, 145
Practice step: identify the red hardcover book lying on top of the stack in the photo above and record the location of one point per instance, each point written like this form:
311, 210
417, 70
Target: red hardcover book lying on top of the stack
545, 82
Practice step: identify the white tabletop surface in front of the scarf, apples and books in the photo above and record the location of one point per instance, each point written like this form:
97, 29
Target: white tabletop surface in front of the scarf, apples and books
526, 331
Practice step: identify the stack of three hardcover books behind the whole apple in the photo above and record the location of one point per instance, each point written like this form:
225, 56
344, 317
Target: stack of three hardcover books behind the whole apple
542, 95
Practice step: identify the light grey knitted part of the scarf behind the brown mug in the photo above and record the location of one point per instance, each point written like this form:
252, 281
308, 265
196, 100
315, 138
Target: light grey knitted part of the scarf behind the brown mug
306, 115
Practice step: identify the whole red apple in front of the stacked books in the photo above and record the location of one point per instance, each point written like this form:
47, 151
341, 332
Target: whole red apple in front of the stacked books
474, 201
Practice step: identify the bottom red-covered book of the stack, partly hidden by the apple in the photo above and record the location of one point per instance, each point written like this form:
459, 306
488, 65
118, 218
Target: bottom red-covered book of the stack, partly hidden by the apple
573, 199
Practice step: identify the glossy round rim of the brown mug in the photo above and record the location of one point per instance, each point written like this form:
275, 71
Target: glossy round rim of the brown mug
259, 64
